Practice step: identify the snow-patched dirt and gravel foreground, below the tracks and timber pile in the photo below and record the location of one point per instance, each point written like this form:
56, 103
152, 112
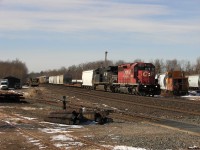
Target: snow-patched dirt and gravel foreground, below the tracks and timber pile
22, 126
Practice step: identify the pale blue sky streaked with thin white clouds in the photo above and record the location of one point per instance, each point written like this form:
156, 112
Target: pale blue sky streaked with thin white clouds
50, 34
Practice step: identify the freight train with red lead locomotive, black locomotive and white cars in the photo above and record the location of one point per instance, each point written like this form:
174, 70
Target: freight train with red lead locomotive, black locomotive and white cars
133, 78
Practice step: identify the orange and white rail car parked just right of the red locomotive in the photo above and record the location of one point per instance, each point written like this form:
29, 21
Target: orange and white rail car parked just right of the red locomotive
174, 82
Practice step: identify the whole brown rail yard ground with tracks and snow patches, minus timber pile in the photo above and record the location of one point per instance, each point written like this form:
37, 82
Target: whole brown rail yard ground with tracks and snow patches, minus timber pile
136, 122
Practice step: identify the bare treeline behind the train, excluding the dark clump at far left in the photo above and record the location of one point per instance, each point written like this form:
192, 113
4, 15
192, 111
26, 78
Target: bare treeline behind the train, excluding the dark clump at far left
161, 66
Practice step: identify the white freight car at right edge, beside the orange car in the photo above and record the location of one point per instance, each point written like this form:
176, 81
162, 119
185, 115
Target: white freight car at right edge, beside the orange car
194, 82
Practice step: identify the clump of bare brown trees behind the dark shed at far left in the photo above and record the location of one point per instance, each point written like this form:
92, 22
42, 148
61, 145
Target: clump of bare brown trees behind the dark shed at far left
14, 68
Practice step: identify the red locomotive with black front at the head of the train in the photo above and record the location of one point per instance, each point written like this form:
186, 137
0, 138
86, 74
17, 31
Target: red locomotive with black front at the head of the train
136, 78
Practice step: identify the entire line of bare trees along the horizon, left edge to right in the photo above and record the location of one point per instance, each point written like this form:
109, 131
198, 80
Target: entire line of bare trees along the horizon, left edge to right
18, 69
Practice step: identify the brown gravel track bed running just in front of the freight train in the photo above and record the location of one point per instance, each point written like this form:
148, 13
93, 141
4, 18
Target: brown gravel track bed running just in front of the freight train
176, 105
